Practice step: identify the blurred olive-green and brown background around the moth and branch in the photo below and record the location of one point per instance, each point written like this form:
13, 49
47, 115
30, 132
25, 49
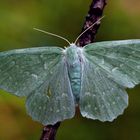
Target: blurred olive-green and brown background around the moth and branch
17, 19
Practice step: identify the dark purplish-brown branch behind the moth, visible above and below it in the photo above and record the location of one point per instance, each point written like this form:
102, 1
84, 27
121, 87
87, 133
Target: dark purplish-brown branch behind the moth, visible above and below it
95, 12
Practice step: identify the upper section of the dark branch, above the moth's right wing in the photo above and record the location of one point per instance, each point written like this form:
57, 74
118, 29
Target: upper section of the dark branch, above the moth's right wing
94, 14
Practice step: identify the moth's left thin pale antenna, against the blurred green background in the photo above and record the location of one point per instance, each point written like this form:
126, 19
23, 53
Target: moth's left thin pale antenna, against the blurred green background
52, 34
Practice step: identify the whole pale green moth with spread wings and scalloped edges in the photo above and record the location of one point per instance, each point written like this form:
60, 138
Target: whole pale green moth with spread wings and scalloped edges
56, 80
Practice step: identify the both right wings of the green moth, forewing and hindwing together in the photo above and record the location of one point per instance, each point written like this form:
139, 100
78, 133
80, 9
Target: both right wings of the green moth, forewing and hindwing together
108, 68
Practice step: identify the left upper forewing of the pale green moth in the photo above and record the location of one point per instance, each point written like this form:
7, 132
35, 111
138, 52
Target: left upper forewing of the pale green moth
24, 70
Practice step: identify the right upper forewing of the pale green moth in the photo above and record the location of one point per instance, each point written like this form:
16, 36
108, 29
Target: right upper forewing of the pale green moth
119, 59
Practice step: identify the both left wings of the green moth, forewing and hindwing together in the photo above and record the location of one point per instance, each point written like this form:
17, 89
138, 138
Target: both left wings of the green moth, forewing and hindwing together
41, 75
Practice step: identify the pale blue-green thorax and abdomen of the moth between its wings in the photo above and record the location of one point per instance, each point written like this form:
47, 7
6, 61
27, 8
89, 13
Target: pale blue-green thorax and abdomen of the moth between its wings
74, 70
